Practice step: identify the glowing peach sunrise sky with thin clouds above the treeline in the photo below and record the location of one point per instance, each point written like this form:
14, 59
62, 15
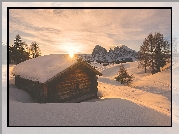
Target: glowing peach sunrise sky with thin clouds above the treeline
79, 30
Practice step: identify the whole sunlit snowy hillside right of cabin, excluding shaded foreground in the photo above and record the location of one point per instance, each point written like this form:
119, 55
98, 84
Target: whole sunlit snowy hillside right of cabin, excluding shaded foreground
152, 91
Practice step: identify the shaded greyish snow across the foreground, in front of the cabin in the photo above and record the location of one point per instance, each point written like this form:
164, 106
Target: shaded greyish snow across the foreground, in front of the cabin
97, 112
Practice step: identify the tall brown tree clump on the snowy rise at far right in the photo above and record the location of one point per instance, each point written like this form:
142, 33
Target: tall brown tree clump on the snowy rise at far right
153, 52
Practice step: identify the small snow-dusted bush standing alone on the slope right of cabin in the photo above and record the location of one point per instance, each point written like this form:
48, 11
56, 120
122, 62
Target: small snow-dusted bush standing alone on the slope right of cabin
123, 76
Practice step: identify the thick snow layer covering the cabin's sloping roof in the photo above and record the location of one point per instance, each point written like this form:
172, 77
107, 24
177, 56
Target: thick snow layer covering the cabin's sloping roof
44, 67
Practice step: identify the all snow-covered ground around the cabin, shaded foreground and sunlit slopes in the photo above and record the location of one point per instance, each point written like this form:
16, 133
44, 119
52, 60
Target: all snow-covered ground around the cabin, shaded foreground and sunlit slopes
145, 105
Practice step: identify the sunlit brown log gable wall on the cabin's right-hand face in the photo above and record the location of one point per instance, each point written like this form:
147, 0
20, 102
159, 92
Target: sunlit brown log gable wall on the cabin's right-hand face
76, 83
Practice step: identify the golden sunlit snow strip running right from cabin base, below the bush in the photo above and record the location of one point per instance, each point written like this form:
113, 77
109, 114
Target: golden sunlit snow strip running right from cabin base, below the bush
156, 102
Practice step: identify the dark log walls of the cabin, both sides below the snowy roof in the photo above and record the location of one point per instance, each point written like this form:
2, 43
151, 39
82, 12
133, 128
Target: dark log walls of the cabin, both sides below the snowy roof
80, 82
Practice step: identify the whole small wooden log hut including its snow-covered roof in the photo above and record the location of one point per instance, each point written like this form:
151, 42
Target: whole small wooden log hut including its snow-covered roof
74, 82
